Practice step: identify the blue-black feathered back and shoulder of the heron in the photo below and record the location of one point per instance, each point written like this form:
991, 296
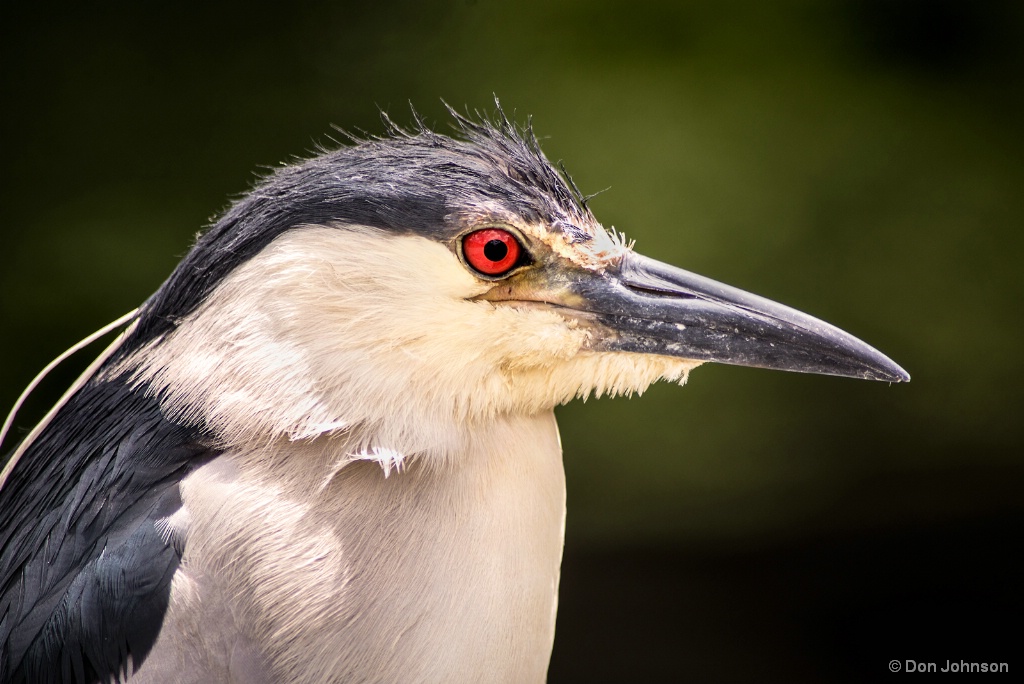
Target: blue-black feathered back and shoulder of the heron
86, 572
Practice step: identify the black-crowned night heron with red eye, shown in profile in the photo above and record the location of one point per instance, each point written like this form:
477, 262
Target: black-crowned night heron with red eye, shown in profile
325, 449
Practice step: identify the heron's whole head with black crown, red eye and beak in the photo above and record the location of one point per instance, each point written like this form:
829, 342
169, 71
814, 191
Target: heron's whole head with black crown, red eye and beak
451, 279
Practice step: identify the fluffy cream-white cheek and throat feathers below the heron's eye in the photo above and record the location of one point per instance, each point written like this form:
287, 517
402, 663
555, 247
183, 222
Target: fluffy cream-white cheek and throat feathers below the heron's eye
331, 329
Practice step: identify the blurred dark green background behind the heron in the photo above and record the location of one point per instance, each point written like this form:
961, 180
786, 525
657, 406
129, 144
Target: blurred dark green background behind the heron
861, 160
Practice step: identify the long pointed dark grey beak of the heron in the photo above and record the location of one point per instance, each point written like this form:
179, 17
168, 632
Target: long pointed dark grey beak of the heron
649, 307
